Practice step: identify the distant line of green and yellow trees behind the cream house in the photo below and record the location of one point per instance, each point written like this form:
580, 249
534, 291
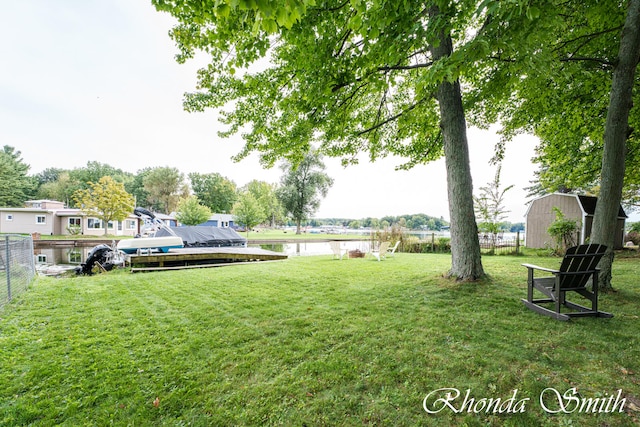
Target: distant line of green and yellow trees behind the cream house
102, 188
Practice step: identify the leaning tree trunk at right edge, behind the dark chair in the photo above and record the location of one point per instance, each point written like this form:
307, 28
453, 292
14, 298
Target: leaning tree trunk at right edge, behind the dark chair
615, 137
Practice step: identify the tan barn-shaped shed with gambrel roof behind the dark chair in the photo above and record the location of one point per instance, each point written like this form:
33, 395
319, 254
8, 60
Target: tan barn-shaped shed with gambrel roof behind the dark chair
541, 215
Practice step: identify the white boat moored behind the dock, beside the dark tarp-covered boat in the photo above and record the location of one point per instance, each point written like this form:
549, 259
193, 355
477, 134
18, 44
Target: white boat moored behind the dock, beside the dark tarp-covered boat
151, 242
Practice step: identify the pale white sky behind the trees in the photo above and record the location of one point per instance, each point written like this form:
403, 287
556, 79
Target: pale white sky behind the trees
96, 80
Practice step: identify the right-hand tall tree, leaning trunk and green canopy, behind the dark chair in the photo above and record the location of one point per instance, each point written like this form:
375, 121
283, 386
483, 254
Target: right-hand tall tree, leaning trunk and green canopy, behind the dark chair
565, 71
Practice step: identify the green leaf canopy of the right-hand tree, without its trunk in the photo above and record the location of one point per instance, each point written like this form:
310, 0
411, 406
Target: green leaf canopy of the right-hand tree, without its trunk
555, 73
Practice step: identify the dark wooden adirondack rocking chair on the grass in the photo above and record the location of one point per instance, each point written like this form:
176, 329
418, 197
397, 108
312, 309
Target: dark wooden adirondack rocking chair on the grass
577, 268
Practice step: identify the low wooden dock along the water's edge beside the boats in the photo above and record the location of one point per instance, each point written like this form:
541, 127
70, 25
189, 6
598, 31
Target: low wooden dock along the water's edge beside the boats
200, 258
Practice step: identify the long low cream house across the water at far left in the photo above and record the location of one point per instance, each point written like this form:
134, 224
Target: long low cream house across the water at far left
51, 217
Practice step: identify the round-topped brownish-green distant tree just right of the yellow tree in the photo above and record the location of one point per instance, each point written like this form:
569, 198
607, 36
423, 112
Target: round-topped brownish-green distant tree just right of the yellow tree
165, 186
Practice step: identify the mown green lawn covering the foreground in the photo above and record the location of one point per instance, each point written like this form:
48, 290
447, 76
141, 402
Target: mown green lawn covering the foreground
306, 342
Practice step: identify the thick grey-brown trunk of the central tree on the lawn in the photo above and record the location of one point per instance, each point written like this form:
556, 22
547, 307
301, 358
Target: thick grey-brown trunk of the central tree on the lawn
466, 263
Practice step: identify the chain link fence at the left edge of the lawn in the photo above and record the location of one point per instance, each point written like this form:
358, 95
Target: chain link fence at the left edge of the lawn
17, 266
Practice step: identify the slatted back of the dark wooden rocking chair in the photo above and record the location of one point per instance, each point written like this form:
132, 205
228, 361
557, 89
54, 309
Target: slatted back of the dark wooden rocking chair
583, 258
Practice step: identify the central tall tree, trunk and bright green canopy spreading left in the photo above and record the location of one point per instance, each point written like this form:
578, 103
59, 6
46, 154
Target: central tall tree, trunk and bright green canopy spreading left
346, 76
